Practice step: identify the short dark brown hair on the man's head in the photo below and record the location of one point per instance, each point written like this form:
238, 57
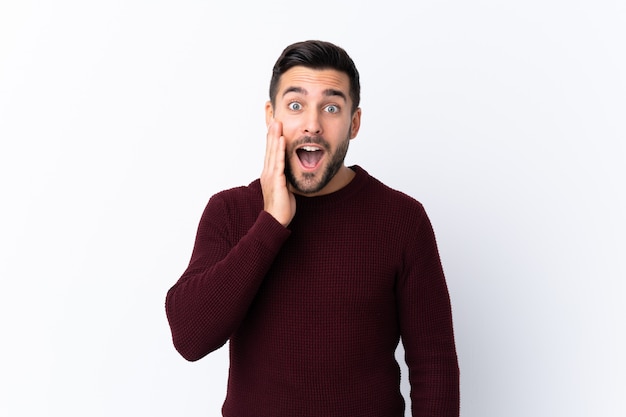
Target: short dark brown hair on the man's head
316, 55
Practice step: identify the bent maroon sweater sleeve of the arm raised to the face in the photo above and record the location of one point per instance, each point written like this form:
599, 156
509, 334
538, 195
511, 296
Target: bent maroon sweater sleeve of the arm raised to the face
211, 298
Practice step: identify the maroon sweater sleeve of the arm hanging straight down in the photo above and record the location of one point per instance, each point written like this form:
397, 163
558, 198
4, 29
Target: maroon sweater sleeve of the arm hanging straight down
426, 328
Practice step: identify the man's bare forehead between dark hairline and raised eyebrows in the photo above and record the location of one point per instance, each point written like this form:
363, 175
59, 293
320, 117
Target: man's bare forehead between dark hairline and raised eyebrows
313, 80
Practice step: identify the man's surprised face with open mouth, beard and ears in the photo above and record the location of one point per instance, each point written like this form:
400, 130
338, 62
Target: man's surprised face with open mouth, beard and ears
314, 107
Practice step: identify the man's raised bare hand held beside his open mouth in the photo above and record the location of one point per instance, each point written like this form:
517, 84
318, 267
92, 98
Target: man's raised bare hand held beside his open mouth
278, 200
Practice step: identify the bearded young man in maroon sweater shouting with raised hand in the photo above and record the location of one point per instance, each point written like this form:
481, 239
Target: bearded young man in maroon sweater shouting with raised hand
316, 270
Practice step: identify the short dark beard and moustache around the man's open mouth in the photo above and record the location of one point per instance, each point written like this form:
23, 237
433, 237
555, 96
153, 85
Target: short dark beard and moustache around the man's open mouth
312, 182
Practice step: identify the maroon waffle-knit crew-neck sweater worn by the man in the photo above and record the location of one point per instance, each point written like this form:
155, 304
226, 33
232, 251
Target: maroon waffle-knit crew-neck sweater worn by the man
314, 312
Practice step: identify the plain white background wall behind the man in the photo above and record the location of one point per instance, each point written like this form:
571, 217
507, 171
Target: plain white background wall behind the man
119, 119
